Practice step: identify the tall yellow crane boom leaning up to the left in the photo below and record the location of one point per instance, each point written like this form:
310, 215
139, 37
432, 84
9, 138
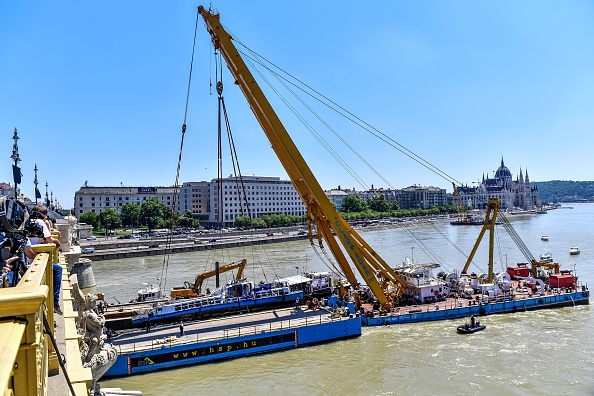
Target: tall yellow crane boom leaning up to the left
320, 211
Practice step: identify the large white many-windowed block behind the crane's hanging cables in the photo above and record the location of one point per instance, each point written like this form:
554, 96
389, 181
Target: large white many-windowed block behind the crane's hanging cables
265, 195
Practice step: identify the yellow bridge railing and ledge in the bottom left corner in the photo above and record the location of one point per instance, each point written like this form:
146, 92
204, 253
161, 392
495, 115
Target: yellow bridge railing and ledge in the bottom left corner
27, 355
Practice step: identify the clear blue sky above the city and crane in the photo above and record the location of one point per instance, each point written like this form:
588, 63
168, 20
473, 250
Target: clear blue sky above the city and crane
97, 89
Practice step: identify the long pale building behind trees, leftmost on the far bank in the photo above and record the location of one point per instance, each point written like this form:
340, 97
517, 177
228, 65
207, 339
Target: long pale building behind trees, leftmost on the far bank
96, 199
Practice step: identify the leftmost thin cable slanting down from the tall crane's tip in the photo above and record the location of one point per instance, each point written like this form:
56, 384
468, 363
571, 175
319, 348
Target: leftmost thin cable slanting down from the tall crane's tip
165, 266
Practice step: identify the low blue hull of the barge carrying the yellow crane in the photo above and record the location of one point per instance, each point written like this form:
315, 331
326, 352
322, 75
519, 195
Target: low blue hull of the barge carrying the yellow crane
520, 303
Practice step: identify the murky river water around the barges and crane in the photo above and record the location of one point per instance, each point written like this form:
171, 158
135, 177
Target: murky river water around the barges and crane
548, 352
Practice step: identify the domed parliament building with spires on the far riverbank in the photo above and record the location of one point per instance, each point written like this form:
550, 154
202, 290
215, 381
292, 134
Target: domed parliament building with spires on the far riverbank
512, 194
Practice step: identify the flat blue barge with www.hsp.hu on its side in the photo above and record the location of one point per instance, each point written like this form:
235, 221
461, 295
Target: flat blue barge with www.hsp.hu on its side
226, 338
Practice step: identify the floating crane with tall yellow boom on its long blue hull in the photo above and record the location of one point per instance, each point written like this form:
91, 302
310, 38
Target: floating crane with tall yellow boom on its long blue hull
387, 288
